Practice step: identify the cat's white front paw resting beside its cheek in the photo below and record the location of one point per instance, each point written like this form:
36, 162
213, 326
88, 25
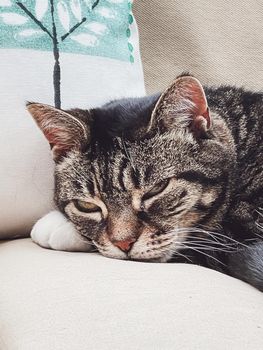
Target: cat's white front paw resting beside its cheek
54, 231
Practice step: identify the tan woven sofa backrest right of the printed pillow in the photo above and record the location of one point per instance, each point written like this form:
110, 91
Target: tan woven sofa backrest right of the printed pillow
220, 42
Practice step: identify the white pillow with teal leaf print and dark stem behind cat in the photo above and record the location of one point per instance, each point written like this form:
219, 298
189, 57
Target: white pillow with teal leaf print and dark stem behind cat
69, 53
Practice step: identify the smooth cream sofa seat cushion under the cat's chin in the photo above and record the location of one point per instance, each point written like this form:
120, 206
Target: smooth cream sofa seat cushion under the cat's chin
53, 300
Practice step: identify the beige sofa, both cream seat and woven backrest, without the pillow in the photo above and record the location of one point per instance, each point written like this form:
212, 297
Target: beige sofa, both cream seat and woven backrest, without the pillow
75, 301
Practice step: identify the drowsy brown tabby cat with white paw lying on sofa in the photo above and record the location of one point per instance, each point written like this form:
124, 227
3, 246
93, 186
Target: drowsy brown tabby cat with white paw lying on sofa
173, 177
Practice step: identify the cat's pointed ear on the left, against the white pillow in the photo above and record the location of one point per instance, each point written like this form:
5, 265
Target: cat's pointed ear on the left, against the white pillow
63, 130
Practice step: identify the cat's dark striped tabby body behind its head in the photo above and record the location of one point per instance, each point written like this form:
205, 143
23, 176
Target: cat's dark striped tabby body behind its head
243, 112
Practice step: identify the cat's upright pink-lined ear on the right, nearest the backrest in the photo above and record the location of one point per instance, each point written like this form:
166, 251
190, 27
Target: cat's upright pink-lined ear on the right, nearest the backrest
182, 105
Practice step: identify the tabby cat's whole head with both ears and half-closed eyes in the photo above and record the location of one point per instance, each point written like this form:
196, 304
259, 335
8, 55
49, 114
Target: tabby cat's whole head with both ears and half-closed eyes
137, 176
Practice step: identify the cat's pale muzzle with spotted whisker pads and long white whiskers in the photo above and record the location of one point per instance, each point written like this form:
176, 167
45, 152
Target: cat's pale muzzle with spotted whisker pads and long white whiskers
171, 246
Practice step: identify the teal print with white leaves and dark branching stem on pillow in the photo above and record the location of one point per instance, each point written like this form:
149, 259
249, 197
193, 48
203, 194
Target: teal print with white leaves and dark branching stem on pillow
88, 27
